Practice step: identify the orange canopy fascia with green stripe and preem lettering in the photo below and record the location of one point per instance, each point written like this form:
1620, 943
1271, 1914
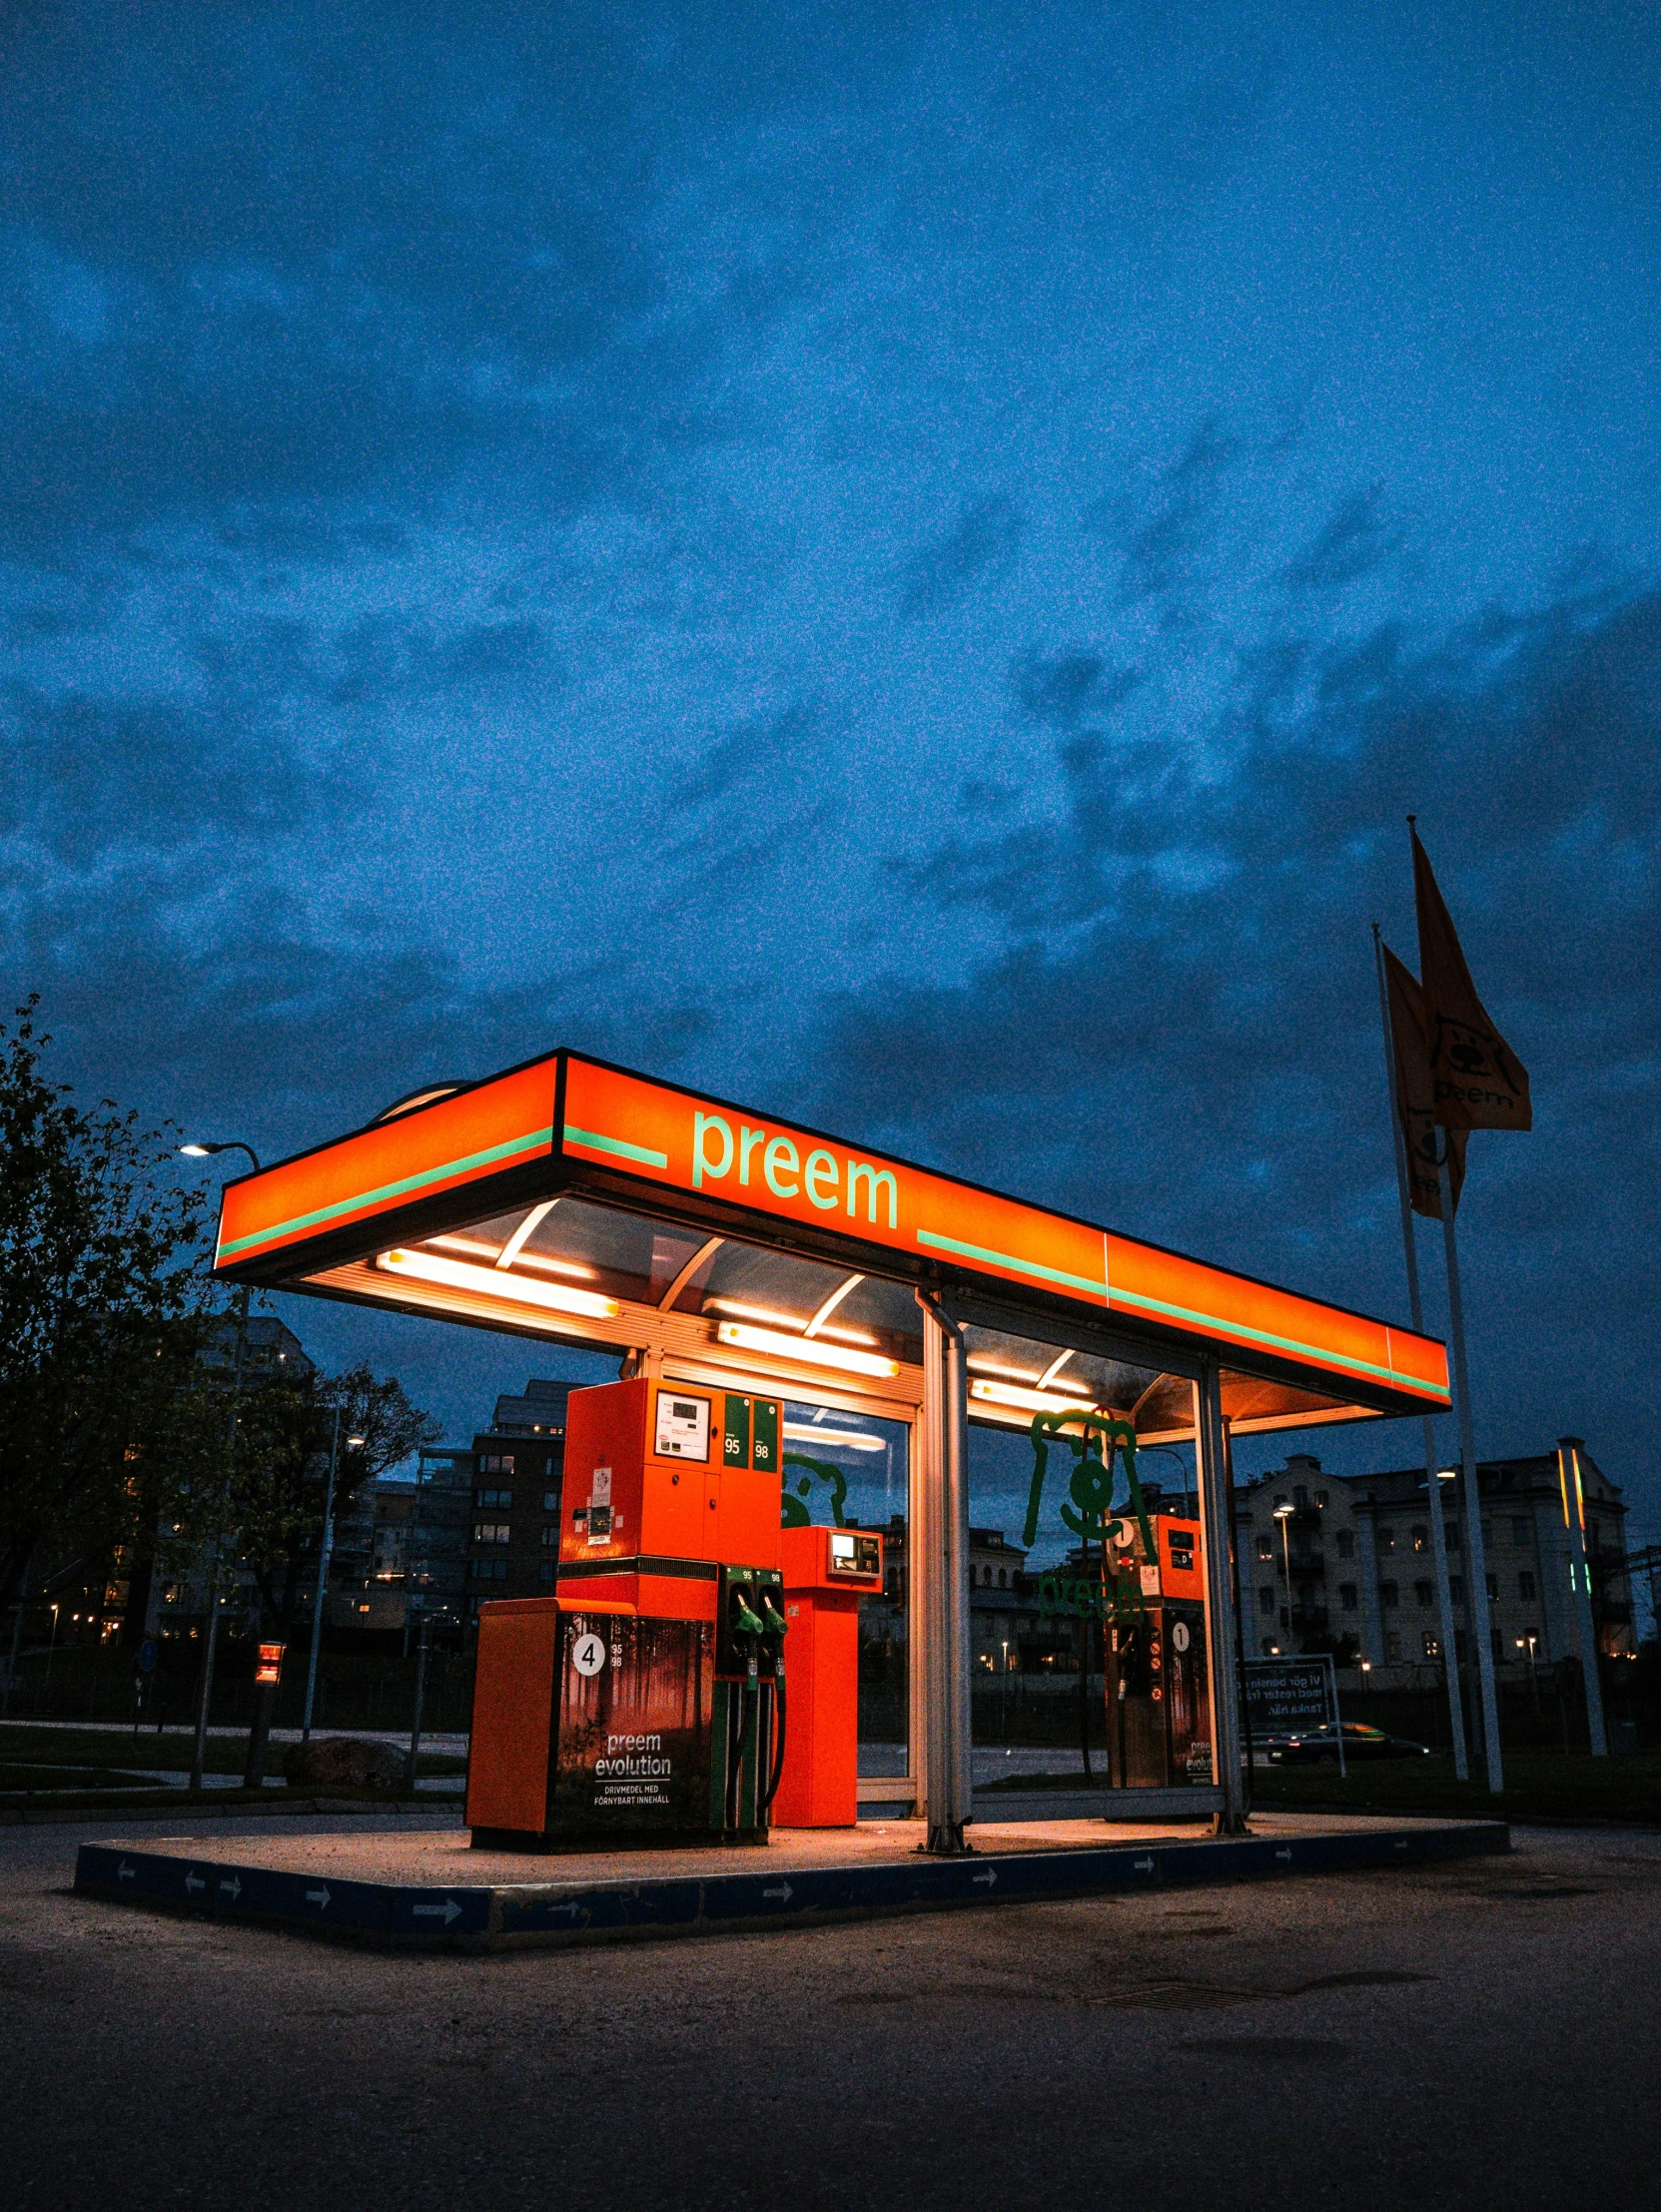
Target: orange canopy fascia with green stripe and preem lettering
567, 1123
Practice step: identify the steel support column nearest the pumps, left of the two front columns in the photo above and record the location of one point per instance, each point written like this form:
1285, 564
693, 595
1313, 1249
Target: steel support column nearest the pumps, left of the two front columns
941, 1567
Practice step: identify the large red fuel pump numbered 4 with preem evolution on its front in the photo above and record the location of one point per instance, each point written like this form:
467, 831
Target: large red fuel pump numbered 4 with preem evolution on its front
640, 1700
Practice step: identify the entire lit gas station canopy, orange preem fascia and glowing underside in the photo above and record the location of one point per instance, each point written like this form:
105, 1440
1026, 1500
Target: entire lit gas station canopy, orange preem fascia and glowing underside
581, 1202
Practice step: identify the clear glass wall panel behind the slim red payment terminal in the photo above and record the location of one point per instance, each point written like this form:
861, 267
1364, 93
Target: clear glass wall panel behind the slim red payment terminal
853, 1472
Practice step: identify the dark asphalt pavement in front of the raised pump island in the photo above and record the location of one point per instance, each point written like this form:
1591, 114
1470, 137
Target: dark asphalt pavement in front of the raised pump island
1479, 2034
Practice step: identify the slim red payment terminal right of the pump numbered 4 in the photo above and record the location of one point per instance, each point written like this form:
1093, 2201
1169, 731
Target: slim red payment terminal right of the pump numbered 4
826, 1574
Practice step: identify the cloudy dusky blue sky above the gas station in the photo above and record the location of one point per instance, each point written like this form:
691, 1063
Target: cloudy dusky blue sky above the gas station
899, 563
